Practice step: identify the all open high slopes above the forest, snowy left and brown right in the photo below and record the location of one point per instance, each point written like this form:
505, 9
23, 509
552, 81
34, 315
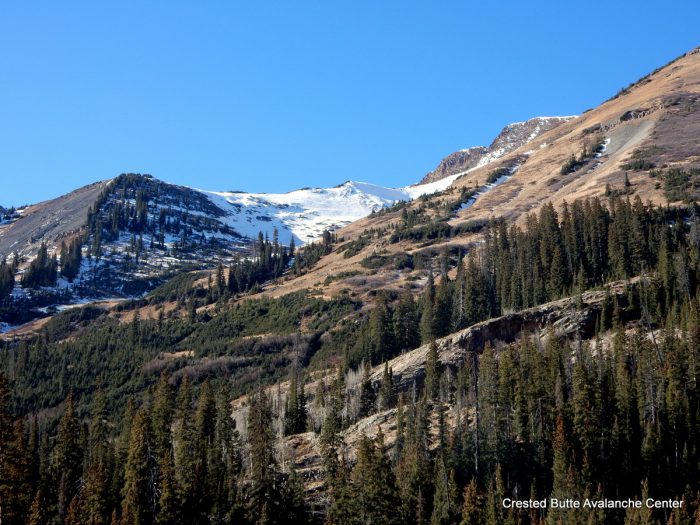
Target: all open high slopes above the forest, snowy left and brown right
637, 136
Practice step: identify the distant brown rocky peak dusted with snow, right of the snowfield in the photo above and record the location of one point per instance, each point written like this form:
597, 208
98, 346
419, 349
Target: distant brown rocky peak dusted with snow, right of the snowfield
512, 137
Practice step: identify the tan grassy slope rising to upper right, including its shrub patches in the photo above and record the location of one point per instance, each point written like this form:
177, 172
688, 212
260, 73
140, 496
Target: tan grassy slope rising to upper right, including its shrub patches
640, 136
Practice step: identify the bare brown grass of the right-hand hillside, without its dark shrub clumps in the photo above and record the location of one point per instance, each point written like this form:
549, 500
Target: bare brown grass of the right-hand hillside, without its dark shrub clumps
657, 119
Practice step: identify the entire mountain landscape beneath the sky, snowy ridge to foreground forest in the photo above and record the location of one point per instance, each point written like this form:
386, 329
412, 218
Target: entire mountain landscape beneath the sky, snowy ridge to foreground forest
527, 328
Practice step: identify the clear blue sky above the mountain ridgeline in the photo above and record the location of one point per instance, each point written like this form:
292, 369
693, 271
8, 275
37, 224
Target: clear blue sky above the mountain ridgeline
264, 96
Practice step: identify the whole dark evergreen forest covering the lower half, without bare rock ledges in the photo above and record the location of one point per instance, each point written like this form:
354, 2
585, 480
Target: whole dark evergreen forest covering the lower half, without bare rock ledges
99, 427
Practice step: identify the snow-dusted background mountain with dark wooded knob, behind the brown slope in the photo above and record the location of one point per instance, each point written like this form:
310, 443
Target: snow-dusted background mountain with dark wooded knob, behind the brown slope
150, 228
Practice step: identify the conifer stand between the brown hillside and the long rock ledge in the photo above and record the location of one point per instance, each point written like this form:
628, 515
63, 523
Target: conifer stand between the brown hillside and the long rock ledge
554, 255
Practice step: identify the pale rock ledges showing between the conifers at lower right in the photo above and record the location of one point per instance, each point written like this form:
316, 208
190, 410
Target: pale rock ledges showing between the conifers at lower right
564, 317
